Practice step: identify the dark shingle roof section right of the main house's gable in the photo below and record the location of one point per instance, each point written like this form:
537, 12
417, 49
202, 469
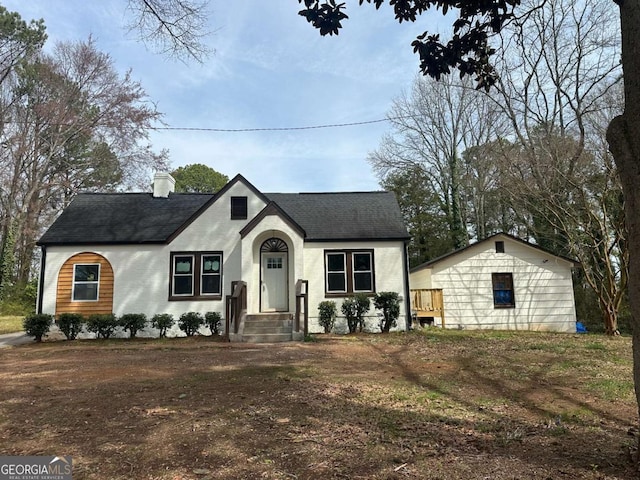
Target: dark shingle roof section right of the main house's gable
344, 216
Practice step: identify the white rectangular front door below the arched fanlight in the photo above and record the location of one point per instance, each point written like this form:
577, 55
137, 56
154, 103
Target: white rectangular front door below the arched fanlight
274, 282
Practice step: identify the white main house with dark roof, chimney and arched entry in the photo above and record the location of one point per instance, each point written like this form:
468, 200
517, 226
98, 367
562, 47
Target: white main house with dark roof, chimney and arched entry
248, 255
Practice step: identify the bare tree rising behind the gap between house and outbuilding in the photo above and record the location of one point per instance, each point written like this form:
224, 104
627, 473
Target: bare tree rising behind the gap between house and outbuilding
432, 126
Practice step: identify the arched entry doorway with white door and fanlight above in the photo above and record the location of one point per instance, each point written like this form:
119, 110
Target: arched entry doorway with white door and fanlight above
274, 275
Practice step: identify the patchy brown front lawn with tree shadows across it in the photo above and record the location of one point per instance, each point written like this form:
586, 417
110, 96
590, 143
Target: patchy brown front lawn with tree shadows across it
432, 405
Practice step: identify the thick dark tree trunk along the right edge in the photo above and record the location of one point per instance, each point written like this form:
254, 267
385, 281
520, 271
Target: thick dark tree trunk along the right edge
624, 142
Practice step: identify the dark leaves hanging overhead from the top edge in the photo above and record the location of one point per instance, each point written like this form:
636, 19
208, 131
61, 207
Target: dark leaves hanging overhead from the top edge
468, 50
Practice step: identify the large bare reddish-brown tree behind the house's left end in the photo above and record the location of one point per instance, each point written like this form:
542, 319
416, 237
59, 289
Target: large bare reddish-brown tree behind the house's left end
76, 124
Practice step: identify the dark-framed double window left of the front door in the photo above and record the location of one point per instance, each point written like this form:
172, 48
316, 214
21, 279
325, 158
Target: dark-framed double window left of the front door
196, 275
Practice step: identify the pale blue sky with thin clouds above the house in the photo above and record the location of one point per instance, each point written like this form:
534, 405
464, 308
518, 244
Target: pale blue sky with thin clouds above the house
270, 69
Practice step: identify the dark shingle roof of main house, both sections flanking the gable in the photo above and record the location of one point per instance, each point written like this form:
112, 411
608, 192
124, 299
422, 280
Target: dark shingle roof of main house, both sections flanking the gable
140, 218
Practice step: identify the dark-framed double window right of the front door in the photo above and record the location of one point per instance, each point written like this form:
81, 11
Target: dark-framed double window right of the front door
349, 271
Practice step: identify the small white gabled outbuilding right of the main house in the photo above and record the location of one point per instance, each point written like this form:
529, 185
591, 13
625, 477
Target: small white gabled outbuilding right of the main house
502, 283
